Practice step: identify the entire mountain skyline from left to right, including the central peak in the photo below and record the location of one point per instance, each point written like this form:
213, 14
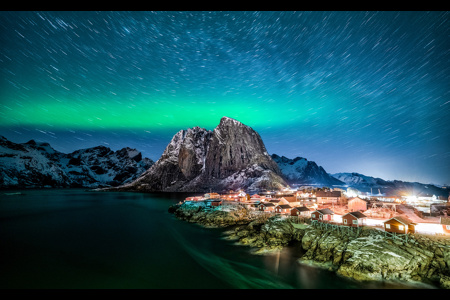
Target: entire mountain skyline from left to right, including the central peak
231, 157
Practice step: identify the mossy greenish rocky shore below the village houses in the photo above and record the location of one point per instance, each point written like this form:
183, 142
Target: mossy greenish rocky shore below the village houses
365, 255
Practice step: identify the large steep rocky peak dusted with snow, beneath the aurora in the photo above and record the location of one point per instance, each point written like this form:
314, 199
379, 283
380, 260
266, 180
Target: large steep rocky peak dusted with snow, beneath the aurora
232, 156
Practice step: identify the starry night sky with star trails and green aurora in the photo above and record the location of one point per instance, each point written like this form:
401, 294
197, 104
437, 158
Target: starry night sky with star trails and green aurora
353, 91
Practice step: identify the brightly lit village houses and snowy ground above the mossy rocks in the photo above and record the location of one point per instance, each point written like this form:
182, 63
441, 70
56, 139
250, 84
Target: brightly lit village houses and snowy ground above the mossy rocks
337, 207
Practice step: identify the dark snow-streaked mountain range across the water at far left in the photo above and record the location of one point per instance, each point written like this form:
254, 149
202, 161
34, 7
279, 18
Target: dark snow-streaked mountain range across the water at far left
35, 164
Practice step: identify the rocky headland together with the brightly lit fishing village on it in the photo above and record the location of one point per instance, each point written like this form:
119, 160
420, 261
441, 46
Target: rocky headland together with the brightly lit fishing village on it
365, 238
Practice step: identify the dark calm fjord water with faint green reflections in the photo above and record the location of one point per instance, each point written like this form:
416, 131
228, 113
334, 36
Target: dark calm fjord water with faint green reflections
86, 239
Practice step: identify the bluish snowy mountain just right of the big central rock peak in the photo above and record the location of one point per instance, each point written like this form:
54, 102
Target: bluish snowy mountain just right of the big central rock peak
301, 171
